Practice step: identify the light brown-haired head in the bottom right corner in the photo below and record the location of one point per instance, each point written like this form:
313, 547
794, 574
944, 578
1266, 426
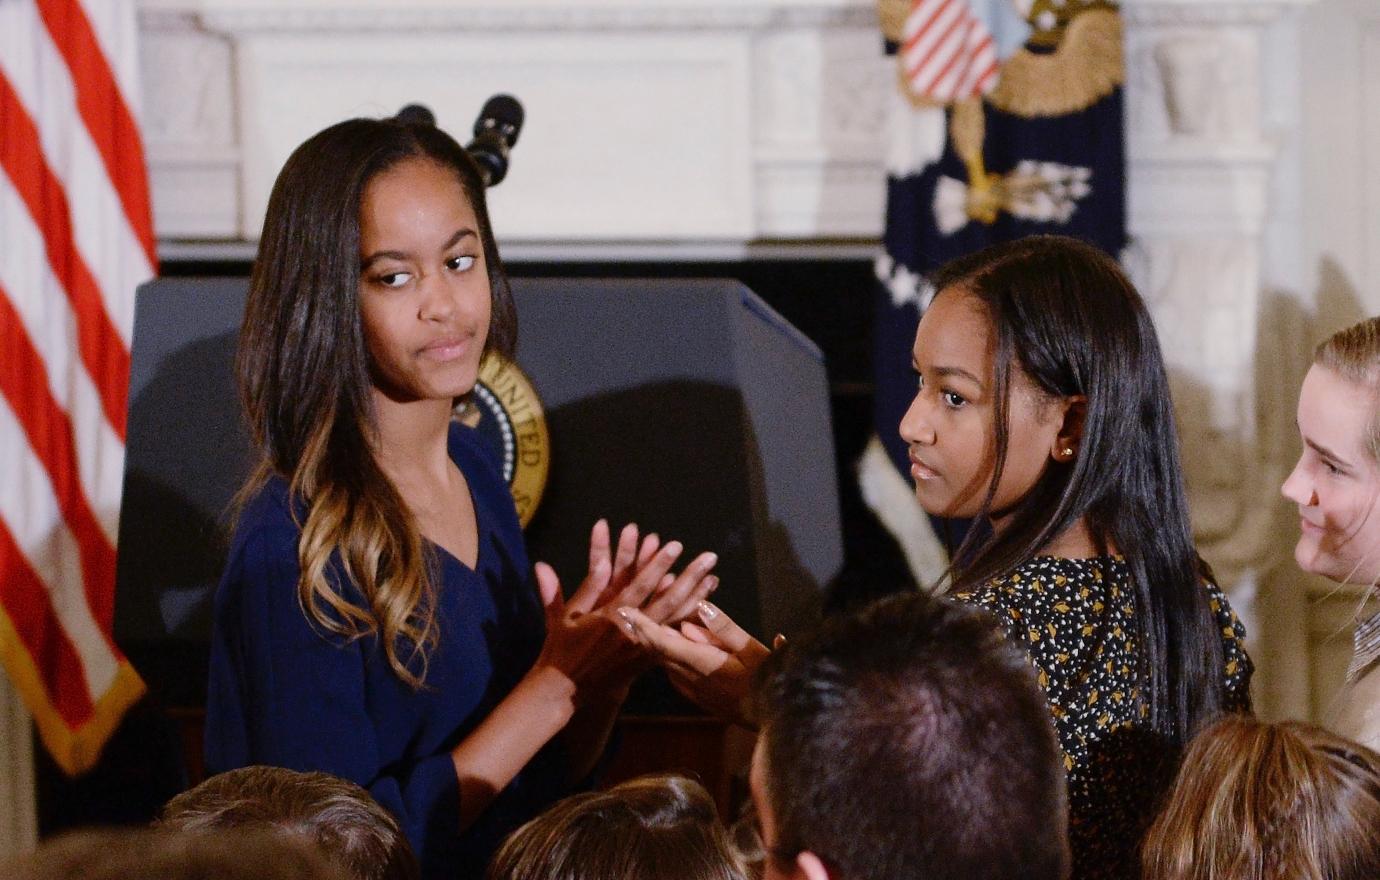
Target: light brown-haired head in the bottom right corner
1263, 802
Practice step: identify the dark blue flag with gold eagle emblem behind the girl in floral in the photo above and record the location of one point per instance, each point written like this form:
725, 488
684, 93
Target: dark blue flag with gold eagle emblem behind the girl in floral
1044, 152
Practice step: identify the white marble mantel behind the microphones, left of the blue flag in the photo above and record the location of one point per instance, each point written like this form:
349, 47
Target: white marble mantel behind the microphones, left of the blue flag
725, 121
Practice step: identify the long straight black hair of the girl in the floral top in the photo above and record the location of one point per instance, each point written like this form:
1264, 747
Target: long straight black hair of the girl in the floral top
1069, 318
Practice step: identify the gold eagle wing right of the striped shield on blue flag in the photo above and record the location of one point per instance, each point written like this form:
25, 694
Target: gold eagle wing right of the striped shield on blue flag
1087, 67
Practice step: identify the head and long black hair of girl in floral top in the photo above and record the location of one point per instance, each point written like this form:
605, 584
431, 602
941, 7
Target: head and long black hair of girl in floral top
1044, 405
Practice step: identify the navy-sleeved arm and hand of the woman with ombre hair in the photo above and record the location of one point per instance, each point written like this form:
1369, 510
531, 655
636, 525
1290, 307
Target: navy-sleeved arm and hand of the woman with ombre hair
286, 693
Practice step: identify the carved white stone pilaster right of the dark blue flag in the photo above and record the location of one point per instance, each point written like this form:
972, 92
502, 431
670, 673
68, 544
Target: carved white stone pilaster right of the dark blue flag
1204, 143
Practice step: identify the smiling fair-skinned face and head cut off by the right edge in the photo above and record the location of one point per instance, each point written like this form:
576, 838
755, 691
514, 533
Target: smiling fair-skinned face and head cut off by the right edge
1337, 482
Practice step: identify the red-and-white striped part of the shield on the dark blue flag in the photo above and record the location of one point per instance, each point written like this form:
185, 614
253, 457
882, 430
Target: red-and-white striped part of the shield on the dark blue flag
947, 52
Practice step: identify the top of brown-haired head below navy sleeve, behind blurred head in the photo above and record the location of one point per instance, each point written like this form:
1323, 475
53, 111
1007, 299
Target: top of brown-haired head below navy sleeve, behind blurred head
336, 814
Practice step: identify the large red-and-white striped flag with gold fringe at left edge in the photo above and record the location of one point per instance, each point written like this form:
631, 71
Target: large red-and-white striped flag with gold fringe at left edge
77, 238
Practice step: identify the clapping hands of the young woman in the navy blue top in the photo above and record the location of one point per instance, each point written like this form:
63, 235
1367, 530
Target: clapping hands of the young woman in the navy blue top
587, 641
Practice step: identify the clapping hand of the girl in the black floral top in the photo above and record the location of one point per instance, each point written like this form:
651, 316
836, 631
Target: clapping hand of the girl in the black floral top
711, 663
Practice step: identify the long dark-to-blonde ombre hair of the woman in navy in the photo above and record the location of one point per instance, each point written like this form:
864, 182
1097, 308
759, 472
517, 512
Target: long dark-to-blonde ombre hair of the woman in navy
304, 377
